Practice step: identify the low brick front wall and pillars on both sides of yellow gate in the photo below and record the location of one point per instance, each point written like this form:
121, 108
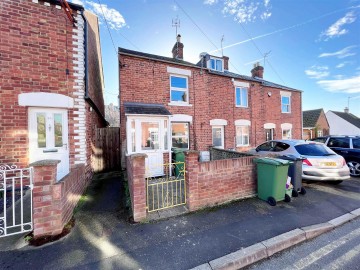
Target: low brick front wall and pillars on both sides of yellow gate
207, 183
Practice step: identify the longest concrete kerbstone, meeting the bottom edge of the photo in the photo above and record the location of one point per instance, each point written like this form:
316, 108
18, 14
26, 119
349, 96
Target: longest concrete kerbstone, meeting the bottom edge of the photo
240, 258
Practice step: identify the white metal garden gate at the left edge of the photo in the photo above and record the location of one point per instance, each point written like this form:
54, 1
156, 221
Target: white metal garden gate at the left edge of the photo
15, 200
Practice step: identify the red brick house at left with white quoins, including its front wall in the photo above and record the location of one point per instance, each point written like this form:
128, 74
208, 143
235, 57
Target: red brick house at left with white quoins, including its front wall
51, 98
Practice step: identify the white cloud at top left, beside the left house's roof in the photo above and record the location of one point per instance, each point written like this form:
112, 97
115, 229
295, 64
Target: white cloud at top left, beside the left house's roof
113, 17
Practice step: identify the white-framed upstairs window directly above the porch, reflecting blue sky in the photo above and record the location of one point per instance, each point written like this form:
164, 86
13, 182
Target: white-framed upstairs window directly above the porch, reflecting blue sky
179, 89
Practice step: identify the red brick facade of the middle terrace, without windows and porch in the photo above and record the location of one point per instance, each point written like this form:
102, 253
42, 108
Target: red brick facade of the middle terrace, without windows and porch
211, 97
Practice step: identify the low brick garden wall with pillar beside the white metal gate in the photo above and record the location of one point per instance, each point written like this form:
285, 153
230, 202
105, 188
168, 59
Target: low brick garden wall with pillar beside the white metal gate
54, 202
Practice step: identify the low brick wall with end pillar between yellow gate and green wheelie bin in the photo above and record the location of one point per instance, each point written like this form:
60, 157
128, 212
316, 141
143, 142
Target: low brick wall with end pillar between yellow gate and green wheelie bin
217, 182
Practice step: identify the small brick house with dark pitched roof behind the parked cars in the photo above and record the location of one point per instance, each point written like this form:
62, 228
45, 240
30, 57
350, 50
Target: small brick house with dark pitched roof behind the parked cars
315, 124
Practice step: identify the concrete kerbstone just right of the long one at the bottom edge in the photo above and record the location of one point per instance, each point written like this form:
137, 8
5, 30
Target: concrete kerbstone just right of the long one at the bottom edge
284, 241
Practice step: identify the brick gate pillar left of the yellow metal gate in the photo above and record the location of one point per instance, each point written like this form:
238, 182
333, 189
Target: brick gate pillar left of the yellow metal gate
137, 185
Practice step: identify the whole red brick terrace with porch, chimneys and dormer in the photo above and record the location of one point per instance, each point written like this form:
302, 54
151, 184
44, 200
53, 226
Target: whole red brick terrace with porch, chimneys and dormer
168, 102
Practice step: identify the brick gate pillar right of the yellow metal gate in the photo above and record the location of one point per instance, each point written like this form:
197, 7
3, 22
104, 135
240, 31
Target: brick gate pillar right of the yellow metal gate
191, 176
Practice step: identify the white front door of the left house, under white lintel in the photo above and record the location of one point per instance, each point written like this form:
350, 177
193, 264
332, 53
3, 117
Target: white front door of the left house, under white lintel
48, 137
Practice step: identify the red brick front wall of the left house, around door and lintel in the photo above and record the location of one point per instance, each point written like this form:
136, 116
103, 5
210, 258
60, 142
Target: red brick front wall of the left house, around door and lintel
34, 56
